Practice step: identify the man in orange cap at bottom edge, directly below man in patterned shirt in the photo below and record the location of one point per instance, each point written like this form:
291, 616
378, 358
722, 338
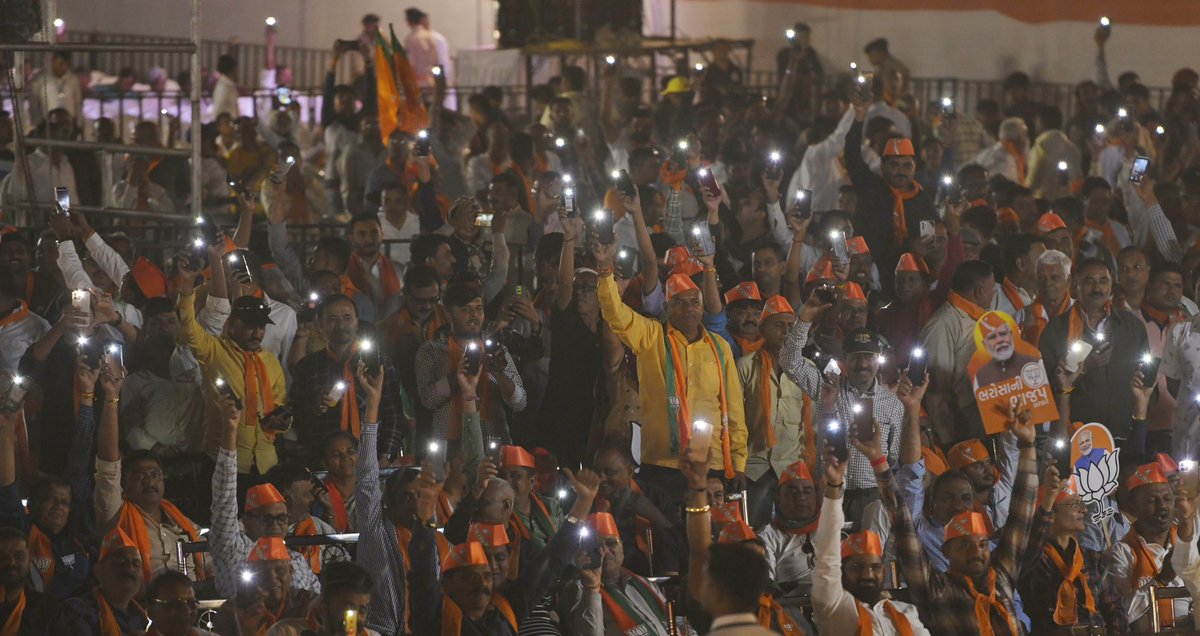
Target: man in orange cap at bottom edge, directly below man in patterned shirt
265, 593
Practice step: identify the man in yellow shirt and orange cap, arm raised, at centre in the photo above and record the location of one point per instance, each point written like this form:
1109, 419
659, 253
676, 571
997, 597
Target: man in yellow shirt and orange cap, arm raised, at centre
686, 374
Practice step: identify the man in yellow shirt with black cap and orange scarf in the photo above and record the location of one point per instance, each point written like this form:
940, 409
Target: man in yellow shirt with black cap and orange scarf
253, 374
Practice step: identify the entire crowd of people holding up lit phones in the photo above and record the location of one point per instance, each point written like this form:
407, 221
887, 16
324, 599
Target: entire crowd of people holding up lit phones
699, 365
